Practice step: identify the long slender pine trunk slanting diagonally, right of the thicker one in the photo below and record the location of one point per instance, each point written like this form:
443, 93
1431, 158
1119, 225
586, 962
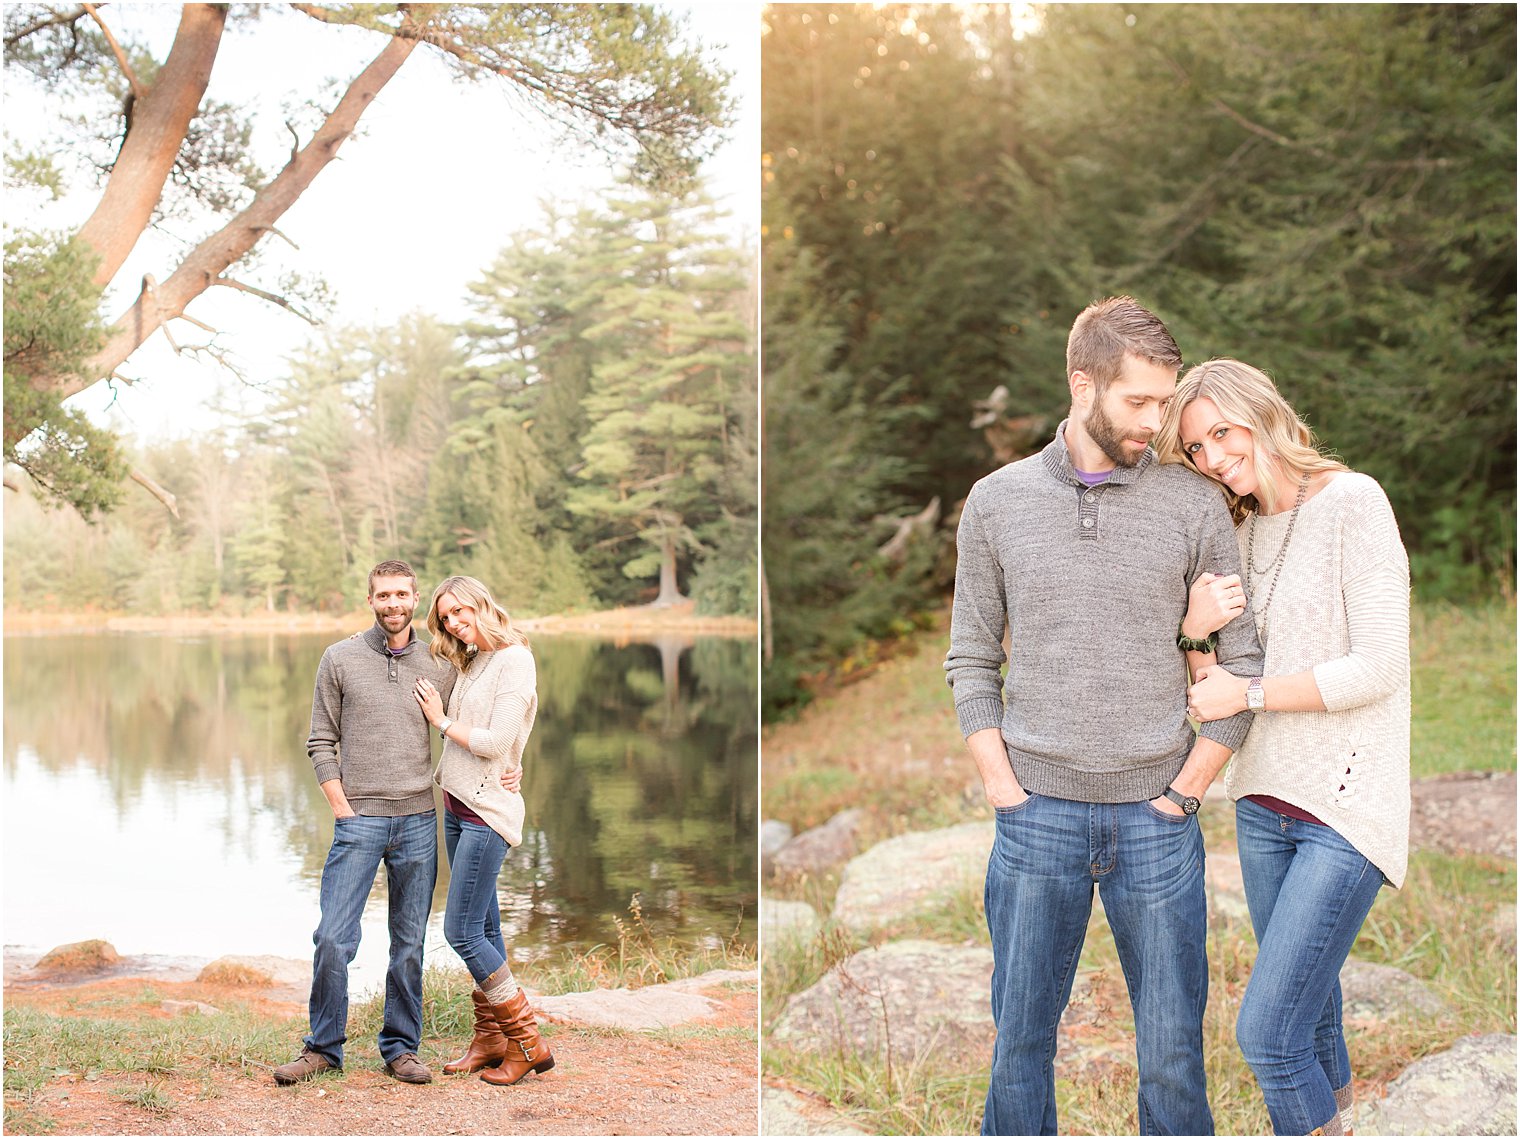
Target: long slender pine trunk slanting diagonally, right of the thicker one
211, 259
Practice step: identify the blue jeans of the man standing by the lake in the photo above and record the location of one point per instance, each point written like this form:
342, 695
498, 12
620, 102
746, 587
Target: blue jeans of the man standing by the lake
410, 849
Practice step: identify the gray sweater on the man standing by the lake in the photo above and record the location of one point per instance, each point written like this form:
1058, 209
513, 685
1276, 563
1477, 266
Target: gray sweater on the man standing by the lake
369, 729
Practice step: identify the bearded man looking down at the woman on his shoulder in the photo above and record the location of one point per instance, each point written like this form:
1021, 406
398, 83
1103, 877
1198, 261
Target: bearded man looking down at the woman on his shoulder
1086, 553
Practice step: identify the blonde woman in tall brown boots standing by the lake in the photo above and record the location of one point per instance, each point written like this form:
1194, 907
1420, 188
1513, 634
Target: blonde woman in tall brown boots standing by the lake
487, 725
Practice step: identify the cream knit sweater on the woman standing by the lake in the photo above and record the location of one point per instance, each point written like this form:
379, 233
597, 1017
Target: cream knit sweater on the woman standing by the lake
498, 697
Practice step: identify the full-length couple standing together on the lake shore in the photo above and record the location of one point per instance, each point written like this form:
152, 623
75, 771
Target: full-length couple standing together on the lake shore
376, 697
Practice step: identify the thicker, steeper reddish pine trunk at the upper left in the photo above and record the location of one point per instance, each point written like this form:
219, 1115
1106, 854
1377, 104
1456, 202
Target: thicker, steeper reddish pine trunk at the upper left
159, 124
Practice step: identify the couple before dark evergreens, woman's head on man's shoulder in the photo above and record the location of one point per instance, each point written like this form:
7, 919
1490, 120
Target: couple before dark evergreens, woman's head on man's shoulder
1109, 560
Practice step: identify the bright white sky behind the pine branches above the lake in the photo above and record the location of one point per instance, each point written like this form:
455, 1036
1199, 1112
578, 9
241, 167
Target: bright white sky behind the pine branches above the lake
417, 205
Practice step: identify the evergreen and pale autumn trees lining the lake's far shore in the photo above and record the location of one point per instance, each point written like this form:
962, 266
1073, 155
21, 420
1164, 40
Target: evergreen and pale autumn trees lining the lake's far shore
606, 354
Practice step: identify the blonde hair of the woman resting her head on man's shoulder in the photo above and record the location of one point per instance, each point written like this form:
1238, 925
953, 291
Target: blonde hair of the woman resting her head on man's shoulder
1249, 399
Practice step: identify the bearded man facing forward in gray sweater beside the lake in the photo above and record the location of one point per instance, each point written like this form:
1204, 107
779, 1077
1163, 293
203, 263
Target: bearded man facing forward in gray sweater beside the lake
372, 754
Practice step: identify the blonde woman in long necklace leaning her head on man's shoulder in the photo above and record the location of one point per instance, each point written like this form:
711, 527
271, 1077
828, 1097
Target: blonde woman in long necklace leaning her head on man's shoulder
1322, 784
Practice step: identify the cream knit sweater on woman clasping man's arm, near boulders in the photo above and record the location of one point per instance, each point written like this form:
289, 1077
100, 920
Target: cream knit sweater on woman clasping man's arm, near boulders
1341, 609
